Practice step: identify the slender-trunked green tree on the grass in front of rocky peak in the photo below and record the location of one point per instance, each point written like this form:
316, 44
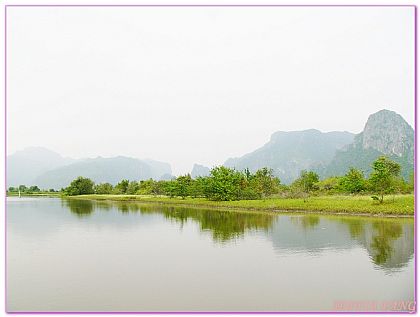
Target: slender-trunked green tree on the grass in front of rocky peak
382, 179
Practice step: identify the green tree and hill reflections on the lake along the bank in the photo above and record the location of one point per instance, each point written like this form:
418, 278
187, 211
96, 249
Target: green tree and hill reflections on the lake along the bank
384, 240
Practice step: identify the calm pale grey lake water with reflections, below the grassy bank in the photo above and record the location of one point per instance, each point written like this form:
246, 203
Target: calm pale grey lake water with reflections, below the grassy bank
70, 255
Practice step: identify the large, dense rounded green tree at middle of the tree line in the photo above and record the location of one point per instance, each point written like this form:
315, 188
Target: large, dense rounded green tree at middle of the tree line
224, 184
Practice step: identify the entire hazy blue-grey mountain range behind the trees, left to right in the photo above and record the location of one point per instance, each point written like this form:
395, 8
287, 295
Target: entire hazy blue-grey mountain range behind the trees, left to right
287, 153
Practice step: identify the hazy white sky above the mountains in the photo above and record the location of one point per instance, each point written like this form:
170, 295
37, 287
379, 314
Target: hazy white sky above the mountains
200, 85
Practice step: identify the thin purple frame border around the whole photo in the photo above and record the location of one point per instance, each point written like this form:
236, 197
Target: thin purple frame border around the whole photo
214, 5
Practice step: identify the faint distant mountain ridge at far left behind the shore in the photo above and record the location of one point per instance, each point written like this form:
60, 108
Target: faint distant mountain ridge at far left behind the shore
47, 169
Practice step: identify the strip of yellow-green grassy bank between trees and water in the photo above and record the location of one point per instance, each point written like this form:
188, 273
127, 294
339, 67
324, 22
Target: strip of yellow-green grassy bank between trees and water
392, 205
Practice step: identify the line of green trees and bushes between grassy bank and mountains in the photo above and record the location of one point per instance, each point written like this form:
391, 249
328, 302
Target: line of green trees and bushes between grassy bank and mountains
226, 183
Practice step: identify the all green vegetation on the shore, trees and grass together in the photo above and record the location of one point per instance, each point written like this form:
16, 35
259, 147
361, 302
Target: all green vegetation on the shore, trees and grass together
228, 188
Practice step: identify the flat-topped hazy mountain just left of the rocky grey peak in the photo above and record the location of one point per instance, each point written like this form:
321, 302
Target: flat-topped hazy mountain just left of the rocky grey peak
287, 153
